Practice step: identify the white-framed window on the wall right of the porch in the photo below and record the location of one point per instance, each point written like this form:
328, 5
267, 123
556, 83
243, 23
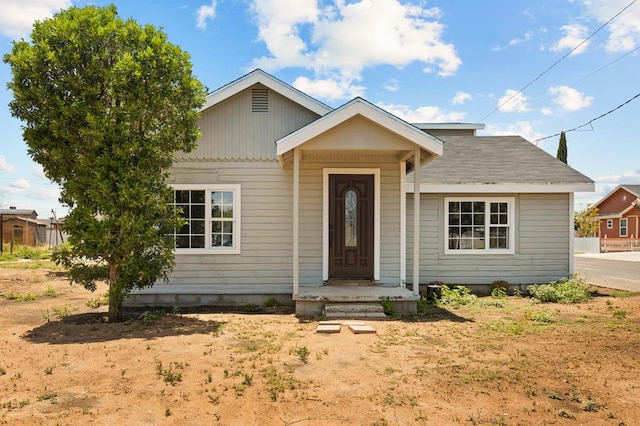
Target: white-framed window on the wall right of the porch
479, 225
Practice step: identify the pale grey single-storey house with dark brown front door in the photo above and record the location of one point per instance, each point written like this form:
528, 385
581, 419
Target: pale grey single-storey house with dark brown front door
288, 198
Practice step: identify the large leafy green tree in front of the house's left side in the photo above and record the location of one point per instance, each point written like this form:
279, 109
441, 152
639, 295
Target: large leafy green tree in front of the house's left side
105, 102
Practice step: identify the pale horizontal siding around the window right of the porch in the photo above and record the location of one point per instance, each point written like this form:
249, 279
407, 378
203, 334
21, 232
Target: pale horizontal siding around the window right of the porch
541, 243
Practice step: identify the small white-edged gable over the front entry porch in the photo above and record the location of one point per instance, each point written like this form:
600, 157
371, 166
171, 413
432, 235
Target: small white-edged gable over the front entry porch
360, 126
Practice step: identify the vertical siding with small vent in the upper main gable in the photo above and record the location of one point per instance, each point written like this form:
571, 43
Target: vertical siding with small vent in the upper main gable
232, 132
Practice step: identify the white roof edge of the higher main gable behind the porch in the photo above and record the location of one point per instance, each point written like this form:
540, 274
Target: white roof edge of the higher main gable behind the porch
258, 76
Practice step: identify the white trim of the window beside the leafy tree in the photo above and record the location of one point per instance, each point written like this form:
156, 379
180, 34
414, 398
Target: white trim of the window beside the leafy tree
237, 216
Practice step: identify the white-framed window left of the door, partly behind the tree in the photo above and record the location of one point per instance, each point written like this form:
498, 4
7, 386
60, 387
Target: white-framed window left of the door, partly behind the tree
213, 216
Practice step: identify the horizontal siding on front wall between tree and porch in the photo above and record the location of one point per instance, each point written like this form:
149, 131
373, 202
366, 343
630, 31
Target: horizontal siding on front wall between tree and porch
264, 264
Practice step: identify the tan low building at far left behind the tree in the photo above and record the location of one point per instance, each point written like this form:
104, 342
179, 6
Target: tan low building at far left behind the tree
21, 226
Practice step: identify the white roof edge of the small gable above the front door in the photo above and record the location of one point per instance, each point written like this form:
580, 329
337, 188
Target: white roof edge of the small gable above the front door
363, 108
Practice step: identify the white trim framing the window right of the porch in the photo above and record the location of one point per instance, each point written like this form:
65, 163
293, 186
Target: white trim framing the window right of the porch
487, 200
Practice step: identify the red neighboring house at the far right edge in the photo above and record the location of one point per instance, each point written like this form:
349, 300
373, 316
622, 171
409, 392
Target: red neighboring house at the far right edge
619, 213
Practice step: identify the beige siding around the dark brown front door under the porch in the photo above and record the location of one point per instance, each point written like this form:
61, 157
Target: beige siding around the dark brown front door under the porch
311, 214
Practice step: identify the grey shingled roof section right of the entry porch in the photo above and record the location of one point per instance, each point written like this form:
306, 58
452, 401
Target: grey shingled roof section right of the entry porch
499, 164
